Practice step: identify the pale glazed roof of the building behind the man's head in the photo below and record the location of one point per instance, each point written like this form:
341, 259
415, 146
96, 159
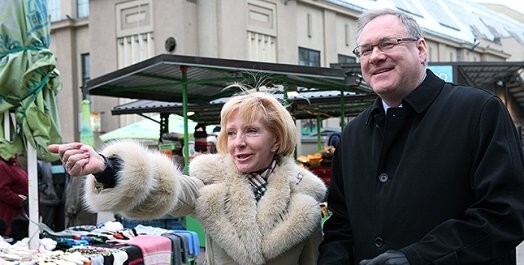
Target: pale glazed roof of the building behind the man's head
465, 21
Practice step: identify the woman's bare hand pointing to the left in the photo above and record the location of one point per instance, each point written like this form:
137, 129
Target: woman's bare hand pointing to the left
78, 159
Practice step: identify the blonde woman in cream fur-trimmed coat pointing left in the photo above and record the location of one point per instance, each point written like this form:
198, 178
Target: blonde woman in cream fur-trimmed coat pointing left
255, 203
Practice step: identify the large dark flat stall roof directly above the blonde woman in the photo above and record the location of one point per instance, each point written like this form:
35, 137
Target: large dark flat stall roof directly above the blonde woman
162, 78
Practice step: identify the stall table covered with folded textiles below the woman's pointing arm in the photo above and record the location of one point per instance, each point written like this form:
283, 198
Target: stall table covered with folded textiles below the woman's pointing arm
107, 243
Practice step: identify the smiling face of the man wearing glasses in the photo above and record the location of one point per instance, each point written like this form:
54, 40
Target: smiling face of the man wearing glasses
392, 74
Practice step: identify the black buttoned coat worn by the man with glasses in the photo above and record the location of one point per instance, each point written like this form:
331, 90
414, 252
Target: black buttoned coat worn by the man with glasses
441, 179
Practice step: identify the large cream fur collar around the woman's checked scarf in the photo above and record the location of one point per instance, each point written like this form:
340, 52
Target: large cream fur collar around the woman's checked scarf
253, 233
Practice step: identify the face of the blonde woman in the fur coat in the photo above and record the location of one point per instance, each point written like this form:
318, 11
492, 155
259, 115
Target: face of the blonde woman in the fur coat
252, 145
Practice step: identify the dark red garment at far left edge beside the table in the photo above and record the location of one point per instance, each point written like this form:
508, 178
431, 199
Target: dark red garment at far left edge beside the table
13, 181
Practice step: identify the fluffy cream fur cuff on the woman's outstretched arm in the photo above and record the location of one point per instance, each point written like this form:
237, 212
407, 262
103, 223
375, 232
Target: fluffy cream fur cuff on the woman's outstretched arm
147, 184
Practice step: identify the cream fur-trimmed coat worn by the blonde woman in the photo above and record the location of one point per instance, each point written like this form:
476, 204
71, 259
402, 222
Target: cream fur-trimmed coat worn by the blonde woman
282, 228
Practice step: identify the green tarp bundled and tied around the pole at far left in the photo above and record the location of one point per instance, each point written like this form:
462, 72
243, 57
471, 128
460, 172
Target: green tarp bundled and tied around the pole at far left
29, 80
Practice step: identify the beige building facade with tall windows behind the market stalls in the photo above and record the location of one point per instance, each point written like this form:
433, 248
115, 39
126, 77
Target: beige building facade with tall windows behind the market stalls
96, 37
